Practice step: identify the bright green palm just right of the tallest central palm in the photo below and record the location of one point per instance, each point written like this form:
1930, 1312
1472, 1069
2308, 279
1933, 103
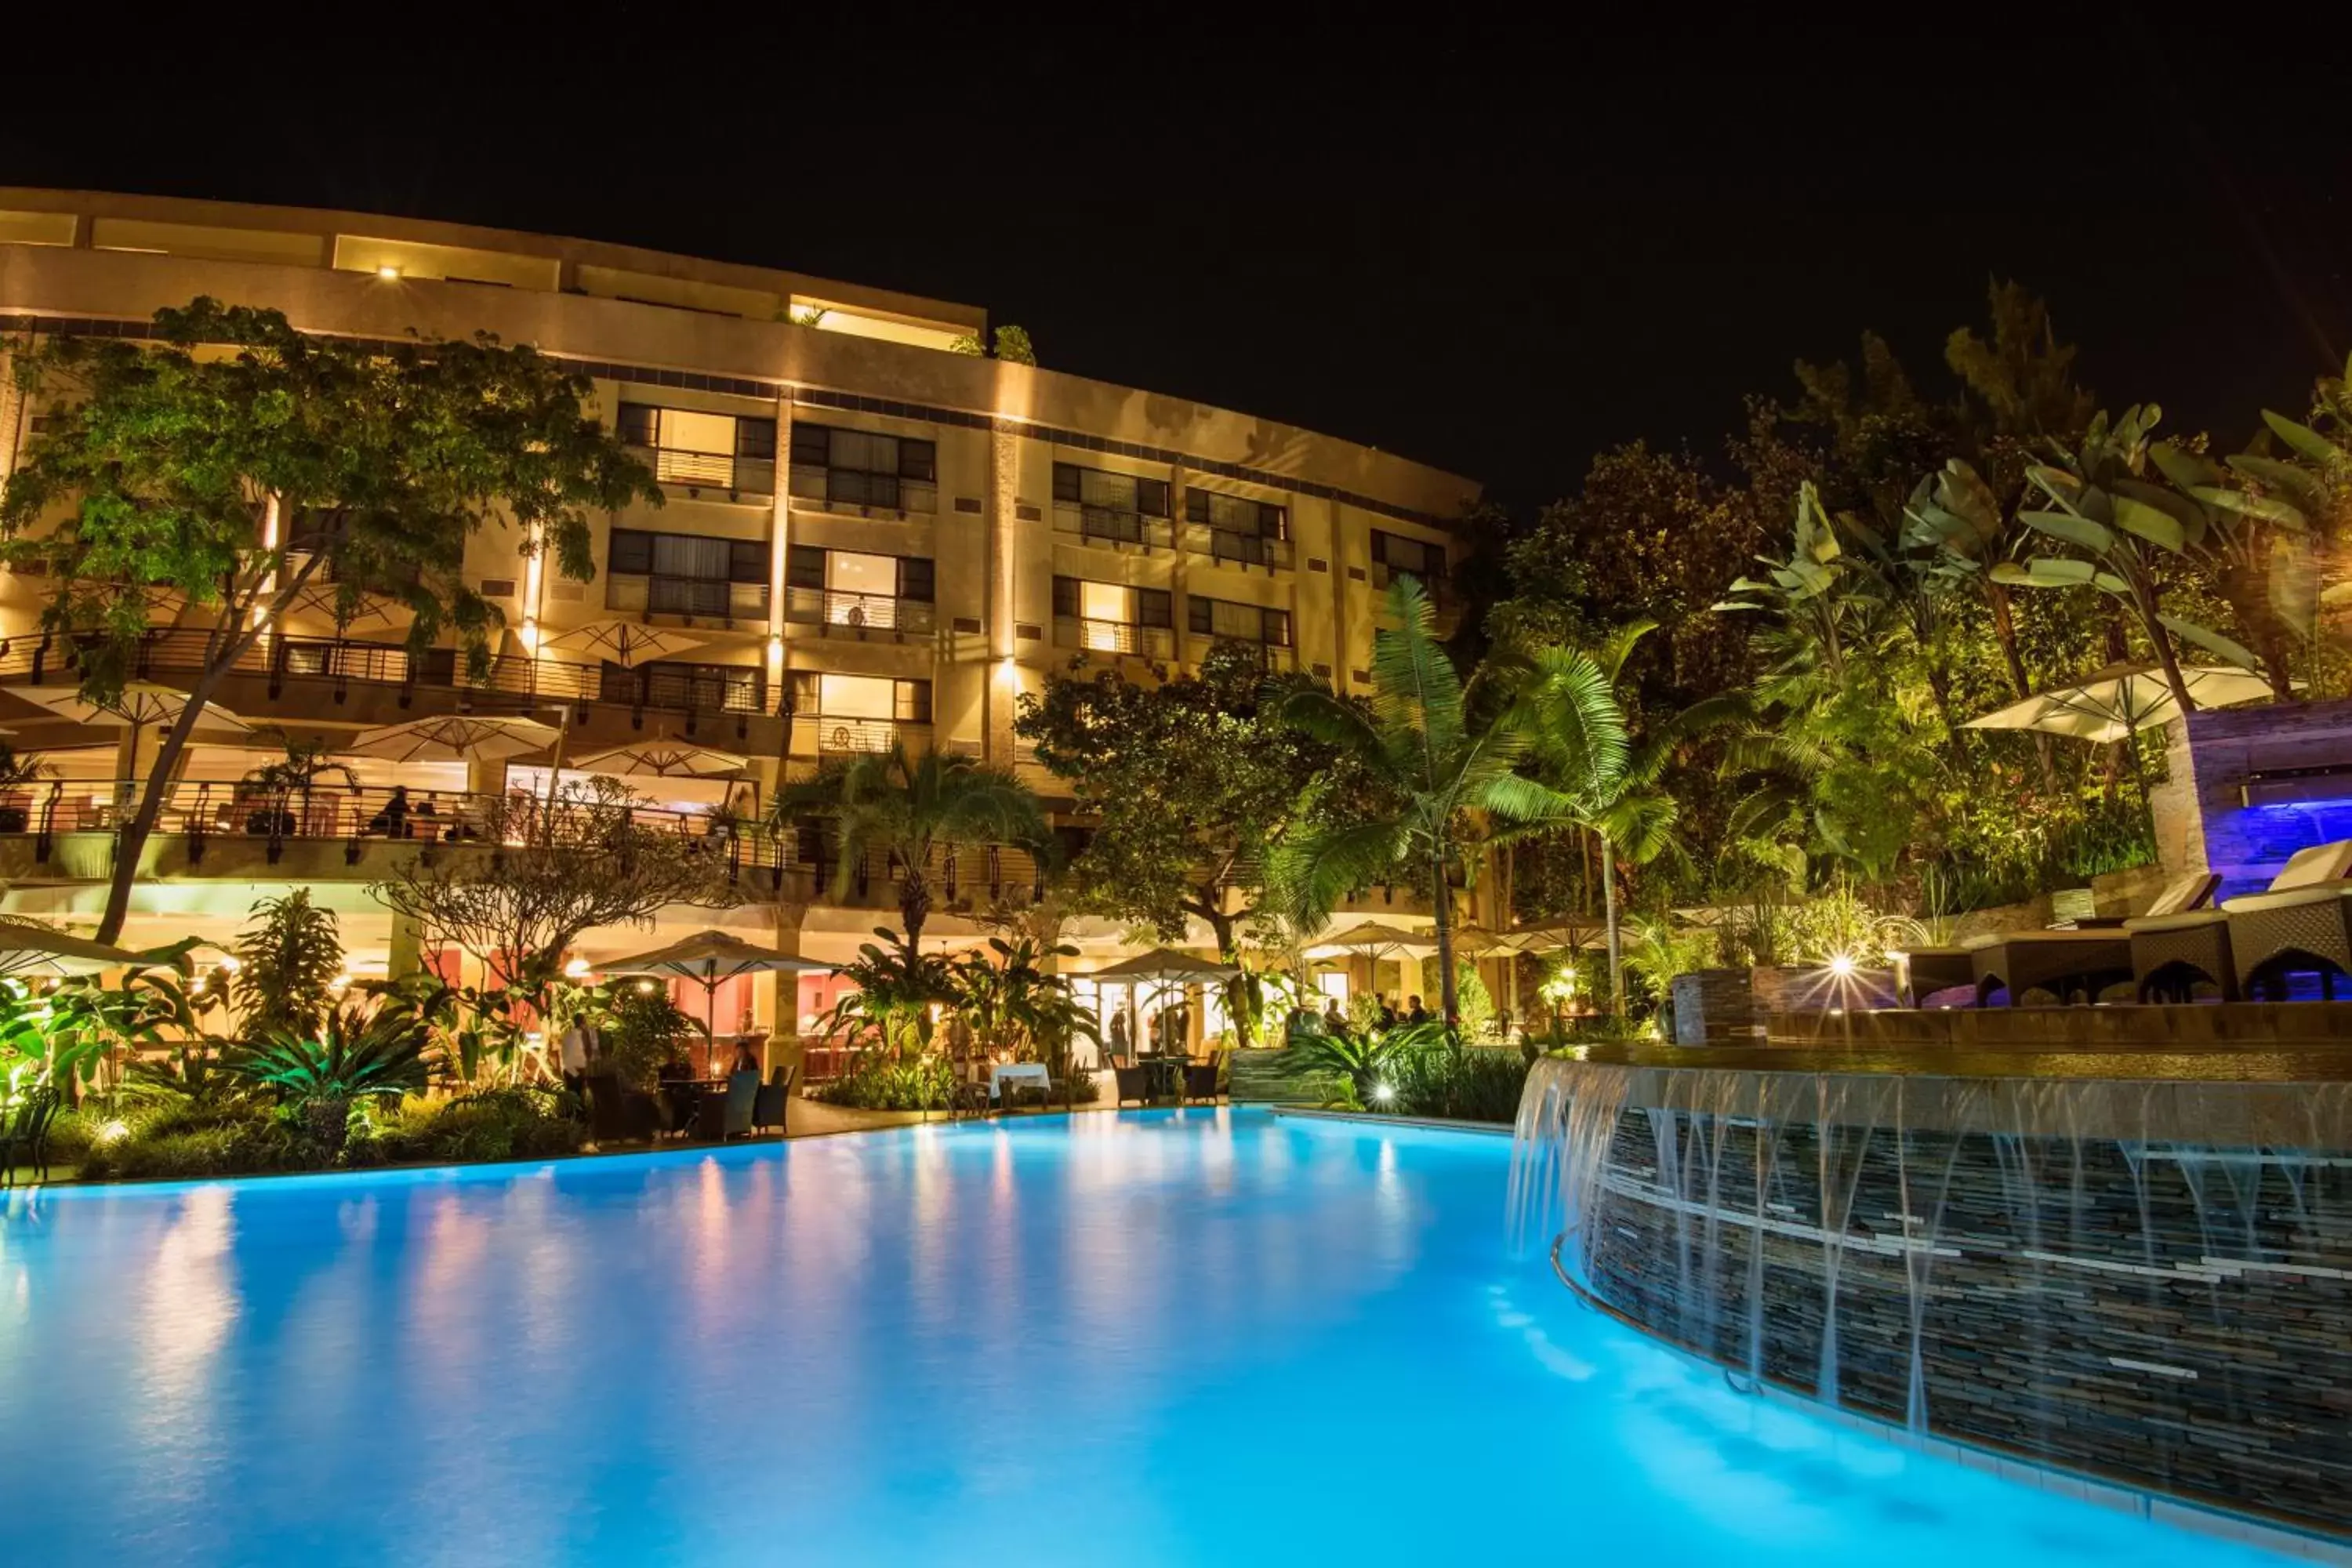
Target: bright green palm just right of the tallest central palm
1582, 749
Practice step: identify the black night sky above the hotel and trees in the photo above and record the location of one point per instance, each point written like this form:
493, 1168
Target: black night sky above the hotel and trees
1492, 250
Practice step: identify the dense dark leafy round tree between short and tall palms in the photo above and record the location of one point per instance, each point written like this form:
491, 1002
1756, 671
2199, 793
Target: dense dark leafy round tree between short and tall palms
1189, 786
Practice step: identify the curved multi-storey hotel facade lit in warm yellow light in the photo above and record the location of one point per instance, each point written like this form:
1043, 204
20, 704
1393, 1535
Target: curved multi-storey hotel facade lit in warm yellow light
867, 537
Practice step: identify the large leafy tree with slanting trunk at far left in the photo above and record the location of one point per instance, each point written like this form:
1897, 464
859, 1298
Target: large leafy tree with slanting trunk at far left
236, 462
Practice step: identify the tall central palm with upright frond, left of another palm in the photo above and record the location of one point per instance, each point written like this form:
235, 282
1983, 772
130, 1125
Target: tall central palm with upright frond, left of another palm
1438, 751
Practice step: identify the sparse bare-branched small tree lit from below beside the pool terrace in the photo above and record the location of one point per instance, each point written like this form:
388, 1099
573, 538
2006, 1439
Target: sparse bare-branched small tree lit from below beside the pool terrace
554, 873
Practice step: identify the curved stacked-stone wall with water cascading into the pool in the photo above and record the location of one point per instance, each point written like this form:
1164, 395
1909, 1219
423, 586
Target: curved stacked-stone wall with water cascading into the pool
2137, 1280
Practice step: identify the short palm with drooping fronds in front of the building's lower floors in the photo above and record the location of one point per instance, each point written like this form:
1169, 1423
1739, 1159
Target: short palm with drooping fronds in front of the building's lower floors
914, 808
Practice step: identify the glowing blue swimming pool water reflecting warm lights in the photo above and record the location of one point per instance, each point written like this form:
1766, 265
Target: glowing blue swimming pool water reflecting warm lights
1149, 1339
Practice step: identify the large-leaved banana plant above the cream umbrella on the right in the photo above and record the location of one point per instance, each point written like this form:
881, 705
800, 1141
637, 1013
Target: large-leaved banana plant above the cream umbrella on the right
2120, 528
